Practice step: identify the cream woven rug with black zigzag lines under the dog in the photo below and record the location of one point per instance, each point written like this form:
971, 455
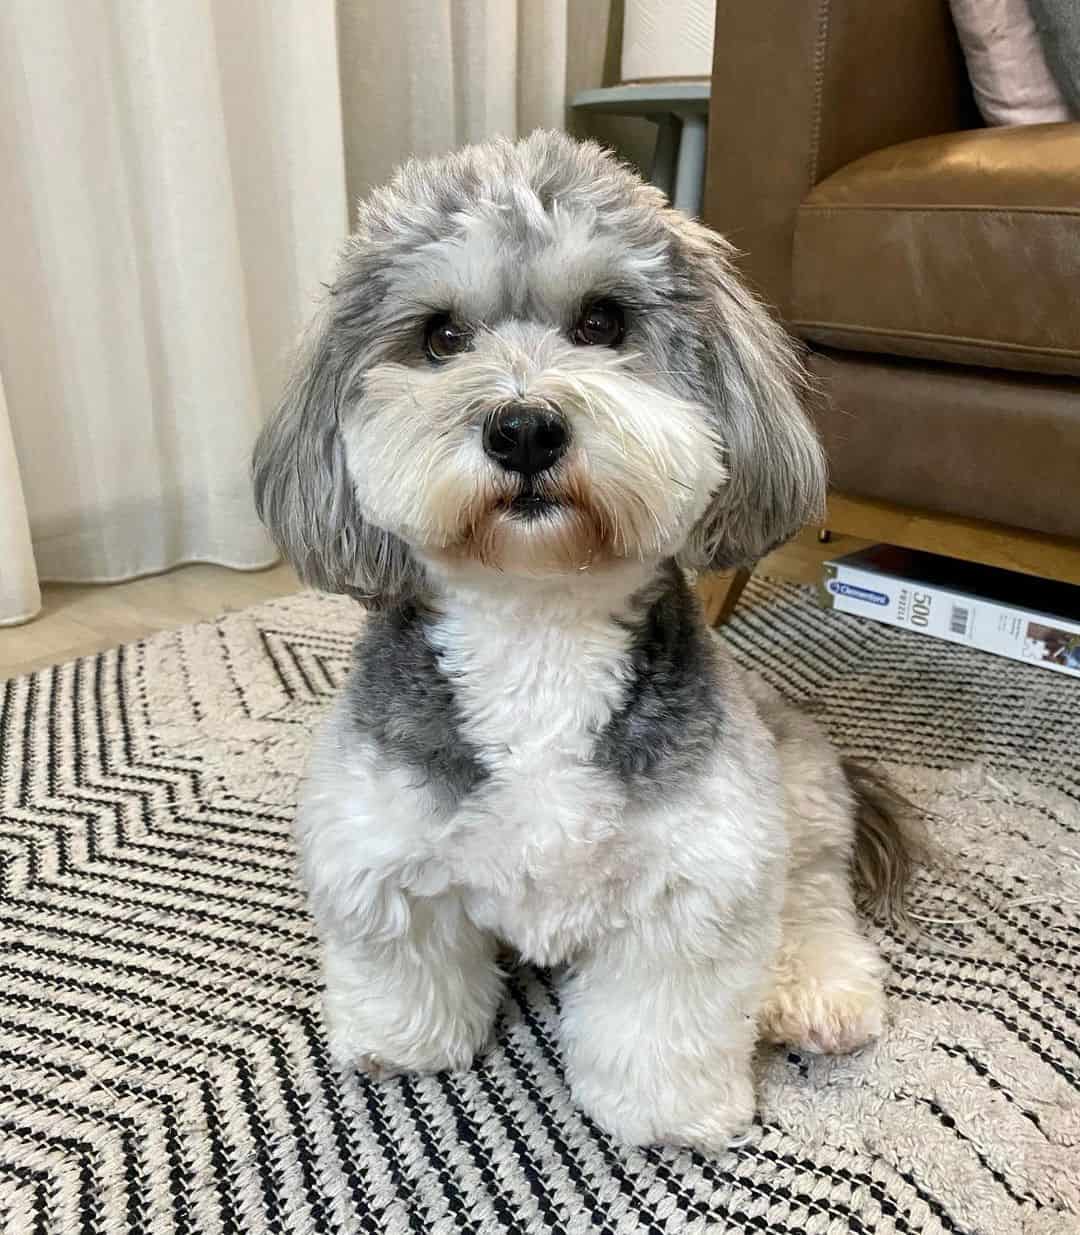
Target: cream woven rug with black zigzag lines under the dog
164, 1064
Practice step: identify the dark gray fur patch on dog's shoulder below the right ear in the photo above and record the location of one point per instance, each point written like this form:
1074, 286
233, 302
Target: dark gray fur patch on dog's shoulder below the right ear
669, 726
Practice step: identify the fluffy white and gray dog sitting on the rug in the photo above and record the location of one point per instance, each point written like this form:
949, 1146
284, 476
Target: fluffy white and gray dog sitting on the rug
533, 398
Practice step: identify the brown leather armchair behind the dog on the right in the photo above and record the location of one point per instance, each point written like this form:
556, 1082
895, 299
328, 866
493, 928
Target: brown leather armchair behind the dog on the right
931, 265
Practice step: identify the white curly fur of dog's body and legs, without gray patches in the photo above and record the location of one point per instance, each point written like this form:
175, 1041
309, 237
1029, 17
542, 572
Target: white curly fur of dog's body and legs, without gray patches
688, 928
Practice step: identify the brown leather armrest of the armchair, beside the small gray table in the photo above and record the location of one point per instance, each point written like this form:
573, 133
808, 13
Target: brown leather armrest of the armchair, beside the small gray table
803, 88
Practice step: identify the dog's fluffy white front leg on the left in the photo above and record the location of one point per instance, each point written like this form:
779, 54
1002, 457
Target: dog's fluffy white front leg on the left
422, 1000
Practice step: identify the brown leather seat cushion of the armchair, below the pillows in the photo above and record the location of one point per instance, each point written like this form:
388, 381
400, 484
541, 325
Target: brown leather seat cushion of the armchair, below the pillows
962, 248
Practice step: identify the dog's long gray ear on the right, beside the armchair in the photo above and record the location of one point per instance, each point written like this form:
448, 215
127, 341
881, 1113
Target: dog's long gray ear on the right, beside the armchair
751, 377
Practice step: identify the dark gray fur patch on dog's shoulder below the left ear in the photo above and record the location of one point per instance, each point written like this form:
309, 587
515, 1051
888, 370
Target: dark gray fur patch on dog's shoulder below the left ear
401, 698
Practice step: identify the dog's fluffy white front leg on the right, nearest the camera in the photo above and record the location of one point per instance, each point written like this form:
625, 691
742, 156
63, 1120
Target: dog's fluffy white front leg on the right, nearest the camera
659, 1026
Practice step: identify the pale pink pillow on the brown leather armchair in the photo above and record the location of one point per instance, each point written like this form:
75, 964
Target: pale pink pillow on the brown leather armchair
1006, 64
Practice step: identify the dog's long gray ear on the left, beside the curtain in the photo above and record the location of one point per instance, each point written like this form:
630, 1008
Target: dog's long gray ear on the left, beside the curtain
303, 492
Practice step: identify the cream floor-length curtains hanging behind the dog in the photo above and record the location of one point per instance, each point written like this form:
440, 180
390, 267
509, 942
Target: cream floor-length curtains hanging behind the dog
175, 188
